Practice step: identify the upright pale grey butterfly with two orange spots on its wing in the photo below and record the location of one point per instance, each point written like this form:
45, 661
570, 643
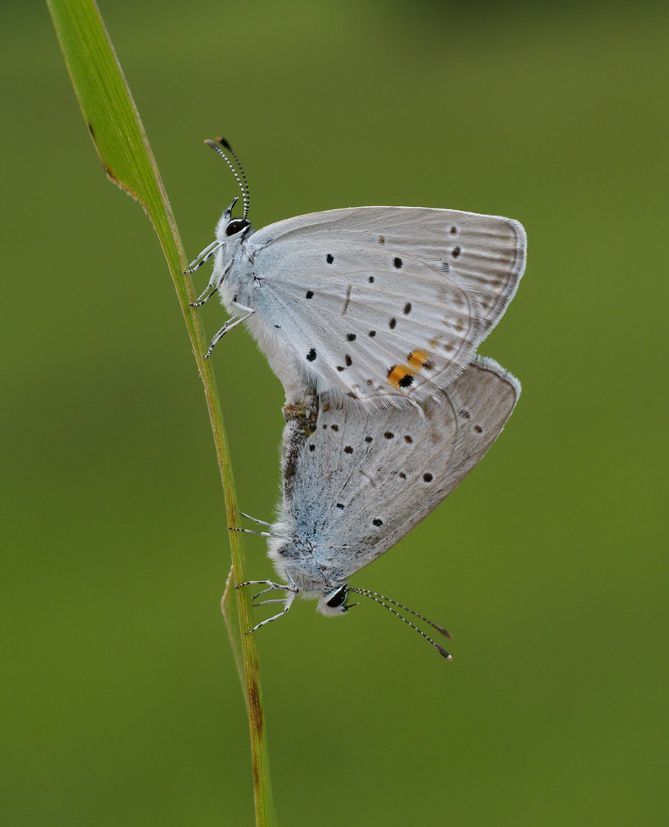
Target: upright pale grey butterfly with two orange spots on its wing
373, 303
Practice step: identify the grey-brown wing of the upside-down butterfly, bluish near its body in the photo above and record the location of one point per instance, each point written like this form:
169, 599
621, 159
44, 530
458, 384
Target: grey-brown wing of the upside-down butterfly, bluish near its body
363, 480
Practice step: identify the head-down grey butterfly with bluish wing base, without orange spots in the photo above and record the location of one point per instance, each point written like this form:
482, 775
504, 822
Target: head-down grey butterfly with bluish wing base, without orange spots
354, 482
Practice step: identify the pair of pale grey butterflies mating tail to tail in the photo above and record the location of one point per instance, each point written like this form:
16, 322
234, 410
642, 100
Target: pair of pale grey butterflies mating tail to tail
371, 318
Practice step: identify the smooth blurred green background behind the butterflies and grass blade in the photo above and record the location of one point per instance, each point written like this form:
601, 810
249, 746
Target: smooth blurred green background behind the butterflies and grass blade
549, 563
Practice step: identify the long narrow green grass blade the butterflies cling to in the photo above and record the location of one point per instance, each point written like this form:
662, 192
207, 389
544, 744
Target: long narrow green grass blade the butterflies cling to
122, 146
